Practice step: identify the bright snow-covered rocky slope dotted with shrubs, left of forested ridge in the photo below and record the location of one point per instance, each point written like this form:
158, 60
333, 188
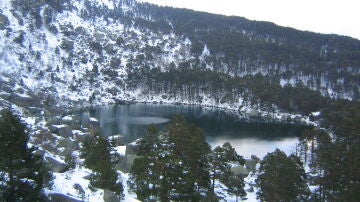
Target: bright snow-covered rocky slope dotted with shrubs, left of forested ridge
76, 59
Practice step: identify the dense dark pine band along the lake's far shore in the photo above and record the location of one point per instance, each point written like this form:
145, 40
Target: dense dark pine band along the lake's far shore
191, 84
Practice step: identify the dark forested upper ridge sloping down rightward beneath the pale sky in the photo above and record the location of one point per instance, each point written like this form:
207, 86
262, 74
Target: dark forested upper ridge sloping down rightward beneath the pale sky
240, 47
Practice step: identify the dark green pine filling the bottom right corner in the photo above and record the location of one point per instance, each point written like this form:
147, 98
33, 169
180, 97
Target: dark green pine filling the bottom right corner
336, 162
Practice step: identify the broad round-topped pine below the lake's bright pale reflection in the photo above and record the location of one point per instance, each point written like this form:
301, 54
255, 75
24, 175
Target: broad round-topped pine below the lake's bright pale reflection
281, 178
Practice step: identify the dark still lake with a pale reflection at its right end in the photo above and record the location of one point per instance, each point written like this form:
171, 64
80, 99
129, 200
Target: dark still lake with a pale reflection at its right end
248, 137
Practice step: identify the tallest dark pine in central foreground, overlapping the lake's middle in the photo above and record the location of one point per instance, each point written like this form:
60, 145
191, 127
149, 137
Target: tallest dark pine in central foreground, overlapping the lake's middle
190, 151
